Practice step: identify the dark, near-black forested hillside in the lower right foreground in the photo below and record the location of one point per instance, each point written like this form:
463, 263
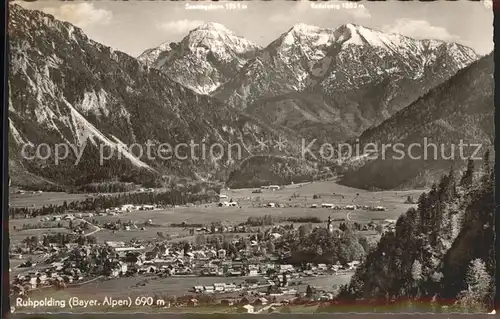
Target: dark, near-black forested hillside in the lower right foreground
442, 252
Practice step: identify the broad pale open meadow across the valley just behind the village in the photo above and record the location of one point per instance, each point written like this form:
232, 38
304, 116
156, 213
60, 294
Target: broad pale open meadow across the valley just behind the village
393, 201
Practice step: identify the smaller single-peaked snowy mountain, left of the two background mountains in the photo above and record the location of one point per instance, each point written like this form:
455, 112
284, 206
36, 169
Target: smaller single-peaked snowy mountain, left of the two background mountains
206, 58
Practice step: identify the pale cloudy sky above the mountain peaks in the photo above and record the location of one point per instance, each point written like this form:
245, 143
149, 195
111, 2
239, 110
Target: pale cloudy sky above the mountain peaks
134, 26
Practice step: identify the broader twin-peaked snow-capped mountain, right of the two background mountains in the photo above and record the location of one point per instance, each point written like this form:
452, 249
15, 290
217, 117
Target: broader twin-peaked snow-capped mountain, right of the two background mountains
350, 78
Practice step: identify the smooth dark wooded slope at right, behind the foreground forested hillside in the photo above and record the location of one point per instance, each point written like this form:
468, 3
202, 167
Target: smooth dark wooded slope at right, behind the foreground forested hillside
460, 109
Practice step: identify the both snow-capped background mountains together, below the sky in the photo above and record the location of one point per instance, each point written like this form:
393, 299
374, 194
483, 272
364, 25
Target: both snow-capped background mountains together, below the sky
349, 78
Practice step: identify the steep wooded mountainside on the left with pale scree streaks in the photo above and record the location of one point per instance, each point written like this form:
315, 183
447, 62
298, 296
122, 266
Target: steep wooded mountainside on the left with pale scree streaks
64, 87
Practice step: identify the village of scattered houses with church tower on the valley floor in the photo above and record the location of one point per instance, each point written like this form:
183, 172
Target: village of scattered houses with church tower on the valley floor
254, 261
